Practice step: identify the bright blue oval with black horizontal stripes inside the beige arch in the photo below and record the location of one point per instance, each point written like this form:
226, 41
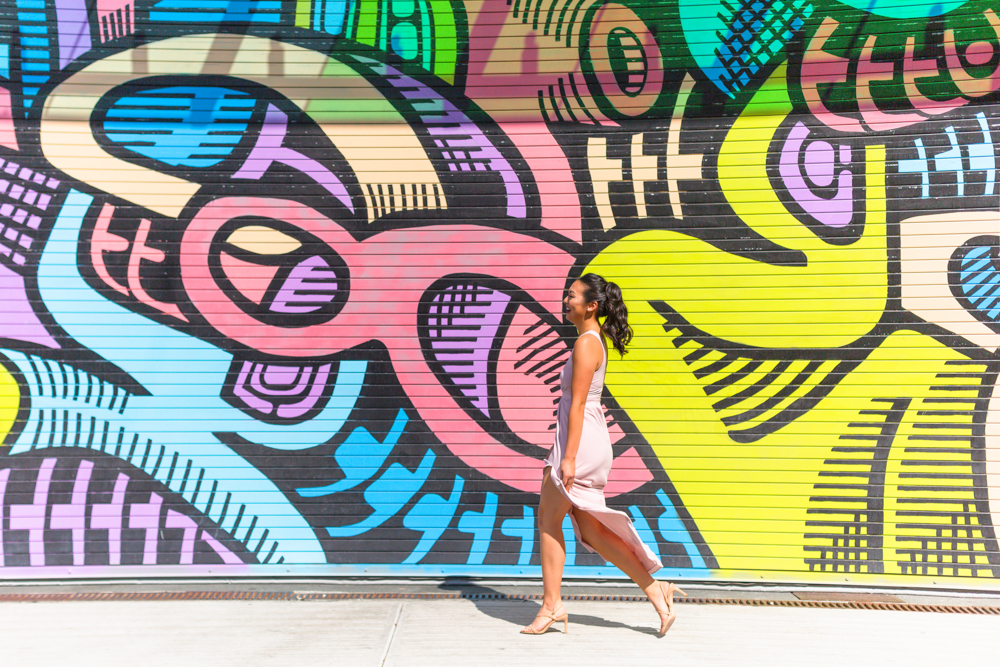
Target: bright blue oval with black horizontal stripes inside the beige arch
200, 127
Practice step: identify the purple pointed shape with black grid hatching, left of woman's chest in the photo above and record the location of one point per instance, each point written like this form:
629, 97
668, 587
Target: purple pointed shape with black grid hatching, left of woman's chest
466, 312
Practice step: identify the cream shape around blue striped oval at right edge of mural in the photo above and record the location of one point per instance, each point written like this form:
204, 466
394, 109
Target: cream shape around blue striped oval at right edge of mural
926, 245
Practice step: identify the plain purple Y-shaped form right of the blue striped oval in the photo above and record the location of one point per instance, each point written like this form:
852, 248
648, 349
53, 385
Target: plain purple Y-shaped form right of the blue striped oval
268, 150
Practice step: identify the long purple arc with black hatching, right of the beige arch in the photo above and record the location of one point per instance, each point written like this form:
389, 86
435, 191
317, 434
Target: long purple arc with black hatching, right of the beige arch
435, 110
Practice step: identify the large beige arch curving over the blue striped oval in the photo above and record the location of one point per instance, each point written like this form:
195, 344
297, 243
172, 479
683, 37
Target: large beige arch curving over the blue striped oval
69, 145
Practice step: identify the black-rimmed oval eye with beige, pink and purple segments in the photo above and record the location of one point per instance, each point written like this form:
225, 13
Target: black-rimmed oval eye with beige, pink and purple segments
280, 277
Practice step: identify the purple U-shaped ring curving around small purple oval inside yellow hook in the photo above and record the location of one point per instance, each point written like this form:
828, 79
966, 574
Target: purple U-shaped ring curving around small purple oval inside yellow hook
836, 212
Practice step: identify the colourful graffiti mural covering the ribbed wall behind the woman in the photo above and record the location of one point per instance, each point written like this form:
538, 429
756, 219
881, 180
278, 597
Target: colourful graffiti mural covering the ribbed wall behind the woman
281, 282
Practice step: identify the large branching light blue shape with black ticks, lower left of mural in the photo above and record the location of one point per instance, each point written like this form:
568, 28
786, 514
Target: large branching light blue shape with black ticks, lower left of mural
94, 321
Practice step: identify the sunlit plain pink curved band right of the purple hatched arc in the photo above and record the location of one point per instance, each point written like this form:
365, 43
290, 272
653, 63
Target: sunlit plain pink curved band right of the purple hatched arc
548, 164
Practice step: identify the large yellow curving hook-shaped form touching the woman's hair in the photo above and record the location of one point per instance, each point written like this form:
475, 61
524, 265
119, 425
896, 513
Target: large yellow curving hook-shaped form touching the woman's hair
837, 297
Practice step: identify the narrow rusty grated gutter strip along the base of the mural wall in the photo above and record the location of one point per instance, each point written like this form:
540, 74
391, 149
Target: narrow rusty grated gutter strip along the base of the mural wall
289, 596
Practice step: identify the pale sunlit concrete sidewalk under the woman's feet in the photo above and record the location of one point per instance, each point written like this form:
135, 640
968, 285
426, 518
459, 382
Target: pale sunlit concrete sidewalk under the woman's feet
441, 632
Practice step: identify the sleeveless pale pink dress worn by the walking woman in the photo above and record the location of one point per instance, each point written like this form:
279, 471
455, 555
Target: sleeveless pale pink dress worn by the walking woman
593, 463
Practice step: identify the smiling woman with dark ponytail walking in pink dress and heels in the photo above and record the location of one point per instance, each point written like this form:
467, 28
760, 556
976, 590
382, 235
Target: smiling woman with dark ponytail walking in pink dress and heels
577, 467
